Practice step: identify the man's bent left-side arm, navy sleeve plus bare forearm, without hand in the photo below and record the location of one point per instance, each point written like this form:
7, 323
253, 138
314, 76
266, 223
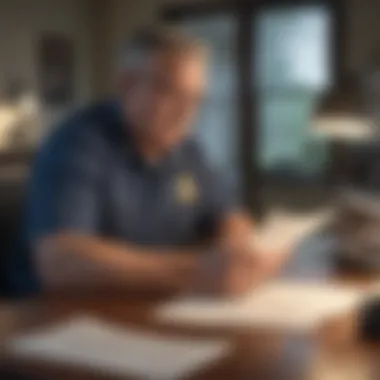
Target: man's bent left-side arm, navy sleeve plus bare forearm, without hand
64, 215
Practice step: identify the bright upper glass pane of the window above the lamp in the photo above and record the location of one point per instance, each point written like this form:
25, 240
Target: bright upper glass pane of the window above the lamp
293, 47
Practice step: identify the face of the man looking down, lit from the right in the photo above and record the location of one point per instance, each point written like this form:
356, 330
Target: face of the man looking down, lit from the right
162, 99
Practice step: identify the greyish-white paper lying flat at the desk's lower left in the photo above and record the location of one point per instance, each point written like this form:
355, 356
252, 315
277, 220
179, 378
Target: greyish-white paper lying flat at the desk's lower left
100, 345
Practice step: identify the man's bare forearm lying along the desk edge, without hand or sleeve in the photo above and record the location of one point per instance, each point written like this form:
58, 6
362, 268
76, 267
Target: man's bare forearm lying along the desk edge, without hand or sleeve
82, 262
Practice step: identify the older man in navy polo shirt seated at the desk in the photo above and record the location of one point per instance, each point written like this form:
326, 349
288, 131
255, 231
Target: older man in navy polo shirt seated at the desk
122, 198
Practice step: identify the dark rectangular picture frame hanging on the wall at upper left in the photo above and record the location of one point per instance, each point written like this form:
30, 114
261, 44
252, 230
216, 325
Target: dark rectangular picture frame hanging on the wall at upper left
56, 69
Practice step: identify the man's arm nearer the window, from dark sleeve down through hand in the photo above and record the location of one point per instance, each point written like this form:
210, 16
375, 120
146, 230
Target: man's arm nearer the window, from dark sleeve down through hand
235, 235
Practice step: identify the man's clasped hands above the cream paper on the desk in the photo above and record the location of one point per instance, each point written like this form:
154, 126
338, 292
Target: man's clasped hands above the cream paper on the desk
236, 265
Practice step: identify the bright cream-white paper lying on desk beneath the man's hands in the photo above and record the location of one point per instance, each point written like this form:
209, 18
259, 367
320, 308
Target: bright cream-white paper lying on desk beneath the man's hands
281, 305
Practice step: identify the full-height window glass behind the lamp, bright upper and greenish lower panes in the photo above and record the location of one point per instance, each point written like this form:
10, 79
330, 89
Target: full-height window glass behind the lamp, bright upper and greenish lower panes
293, 68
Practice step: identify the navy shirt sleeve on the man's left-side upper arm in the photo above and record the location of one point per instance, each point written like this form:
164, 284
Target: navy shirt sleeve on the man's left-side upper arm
64, 191
